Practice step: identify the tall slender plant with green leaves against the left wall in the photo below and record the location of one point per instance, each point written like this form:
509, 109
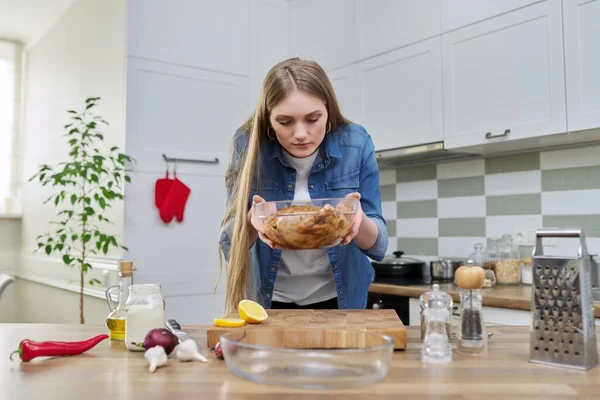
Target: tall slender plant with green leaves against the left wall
84, 186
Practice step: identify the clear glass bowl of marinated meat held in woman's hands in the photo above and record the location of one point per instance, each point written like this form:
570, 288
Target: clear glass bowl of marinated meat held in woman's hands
307, 224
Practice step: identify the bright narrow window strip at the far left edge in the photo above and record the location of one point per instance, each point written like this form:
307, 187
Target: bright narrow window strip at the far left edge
9, 78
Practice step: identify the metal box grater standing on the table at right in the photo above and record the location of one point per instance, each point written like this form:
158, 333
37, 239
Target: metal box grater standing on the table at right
562, 330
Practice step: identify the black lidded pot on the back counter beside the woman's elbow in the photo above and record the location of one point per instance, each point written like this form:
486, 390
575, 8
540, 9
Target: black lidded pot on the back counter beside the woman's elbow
401, 270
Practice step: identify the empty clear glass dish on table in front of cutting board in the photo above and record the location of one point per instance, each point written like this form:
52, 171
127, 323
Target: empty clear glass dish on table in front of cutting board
270, 357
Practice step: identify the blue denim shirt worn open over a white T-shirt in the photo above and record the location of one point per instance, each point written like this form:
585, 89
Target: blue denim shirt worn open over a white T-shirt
346, 163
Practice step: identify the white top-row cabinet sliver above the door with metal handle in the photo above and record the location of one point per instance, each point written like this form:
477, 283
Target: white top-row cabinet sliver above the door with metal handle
458, 13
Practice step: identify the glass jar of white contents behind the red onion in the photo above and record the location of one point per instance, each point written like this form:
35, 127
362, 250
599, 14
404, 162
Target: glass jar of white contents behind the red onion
144, 311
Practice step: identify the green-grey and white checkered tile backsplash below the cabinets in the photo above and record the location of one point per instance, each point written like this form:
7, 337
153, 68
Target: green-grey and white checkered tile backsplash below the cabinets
445, 209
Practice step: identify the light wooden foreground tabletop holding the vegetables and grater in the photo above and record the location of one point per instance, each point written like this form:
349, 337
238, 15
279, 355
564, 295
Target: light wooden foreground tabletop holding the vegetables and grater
109, 371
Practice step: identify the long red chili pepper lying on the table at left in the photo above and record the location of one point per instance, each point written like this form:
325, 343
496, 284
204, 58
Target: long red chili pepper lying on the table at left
28, 349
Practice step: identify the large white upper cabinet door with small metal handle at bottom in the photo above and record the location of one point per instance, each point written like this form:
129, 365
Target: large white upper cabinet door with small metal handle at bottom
504, 78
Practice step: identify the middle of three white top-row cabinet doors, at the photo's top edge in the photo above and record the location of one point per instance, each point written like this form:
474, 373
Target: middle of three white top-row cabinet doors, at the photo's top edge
384, 25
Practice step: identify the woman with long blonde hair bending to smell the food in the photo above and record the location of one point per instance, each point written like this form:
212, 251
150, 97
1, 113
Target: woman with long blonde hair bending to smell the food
298, 145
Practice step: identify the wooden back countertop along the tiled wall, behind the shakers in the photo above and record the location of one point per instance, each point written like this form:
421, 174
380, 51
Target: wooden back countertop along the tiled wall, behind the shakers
515, 297
